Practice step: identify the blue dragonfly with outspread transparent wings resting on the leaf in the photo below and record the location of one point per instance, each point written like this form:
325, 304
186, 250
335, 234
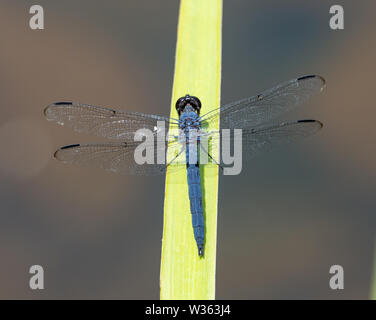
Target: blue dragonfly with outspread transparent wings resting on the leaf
252, 115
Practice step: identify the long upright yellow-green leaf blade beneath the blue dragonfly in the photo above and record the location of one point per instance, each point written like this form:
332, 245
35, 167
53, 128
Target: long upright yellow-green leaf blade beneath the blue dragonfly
184, 275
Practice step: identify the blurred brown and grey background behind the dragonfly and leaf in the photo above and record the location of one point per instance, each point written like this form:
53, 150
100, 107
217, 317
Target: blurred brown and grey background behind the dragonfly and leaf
282, 223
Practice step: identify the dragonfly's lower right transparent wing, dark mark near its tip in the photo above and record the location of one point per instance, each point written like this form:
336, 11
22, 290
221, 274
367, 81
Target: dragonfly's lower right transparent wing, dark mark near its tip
263, 138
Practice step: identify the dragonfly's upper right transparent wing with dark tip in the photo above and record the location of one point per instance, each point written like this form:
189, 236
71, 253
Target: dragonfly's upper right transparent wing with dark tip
253, 111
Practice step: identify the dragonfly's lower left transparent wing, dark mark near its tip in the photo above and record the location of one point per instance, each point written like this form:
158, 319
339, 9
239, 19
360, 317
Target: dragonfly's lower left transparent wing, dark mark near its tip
119, 157
